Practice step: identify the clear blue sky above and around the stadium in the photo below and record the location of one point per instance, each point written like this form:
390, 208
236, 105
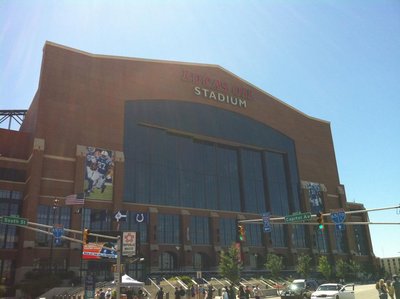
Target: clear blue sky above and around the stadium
334, 60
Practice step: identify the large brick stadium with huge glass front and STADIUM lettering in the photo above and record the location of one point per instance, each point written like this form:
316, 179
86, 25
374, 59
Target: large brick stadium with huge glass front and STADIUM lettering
178, 153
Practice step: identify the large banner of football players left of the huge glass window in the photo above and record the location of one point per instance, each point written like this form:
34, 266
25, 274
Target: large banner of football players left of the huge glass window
99, 170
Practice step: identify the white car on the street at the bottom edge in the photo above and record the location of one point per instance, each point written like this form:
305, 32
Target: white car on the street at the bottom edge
334, 291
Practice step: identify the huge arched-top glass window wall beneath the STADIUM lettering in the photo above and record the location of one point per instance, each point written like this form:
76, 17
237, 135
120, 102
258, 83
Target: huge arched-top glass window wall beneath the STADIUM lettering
174, 157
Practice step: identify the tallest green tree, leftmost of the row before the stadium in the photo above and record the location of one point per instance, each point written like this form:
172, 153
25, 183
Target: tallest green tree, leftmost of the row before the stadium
230, 265
